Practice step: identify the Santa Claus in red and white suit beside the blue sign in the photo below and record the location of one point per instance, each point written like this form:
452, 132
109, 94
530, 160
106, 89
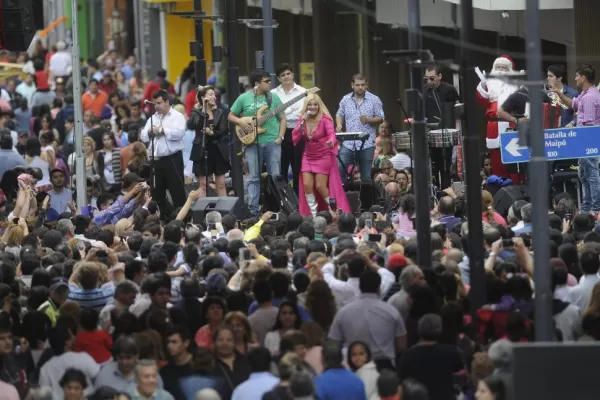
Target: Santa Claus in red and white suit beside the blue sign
492, 93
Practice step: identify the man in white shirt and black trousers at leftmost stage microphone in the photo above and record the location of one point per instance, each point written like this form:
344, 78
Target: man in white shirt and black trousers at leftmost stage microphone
165, 132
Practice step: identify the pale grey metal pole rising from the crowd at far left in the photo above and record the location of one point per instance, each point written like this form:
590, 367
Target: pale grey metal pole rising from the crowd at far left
81, 183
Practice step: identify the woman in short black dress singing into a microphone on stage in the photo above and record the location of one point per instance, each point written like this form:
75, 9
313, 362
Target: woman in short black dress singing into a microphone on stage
211, 120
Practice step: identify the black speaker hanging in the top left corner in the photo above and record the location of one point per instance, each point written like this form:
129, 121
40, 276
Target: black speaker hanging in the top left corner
18, 24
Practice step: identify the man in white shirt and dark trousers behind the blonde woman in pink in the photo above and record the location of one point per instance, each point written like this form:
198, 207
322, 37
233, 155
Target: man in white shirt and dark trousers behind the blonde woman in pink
287, 90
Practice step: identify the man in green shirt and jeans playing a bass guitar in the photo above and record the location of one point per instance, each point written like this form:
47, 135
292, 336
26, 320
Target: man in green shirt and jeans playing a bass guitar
267, 147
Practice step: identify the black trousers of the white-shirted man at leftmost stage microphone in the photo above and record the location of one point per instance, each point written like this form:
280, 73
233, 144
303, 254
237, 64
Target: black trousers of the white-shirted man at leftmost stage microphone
168, 175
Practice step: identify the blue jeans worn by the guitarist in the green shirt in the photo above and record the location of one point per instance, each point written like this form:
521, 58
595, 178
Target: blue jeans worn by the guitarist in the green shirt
270, 154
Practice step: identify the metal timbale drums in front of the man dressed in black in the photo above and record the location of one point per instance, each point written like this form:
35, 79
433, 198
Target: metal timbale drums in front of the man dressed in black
441, 142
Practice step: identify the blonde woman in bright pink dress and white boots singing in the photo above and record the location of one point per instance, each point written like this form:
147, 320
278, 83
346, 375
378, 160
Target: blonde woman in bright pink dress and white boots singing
320, 180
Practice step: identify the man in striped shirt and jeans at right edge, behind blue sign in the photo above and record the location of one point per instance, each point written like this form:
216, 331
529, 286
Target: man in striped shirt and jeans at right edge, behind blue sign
587, 106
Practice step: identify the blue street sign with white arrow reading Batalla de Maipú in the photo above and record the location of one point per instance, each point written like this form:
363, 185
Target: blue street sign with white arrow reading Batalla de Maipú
560, 144
